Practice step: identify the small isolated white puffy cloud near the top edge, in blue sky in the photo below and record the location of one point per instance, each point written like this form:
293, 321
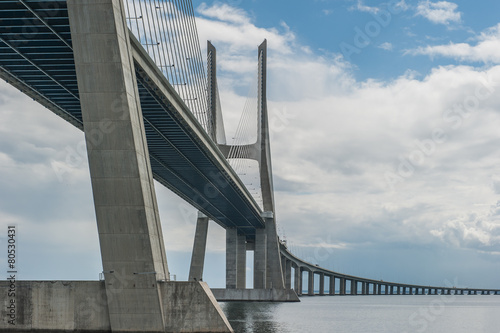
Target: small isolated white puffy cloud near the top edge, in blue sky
441, 12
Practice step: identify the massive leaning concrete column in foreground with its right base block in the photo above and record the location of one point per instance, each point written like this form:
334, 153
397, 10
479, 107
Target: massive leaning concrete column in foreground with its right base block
133, 253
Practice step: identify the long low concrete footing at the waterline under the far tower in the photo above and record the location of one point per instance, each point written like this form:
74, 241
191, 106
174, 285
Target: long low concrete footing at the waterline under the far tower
255, 295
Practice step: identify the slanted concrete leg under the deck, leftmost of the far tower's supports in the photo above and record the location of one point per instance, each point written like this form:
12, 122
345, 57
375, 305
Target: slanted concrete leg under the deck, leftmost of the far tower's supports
199, 248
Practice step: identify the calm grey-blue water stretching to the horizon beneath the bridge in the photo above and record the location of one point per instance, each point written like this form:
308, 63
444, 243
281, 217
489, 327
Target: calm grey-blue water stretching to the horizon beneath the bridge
369, 314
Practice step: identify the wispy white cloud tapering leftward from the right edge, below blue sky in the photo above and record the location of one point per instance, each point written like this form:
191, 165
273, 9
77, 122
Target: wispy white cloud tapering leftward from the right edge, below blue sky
485, 50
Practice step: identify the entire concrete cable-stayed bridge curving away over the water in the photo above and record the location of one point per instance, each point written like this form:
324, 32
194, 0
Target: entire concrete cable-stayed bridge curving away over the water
130, 74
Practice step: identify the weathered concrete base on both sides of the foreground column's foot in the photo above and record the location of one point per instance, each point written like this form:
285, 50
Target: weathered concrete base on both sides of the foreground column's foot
81, 306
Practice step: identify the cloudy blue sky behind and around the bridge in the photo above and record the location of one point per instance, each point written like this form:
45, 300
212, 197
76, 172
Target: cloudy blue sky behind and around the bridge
384, 136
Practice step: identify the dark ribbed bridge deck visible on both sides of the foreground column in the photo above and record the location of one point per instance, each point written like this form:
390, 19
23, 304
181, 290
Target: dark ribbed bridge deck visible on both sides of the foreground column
36, 56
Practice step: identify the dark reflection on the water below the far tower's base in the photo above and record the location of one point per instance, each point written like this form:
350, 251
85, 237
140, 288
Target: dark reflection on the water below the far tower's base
253, 317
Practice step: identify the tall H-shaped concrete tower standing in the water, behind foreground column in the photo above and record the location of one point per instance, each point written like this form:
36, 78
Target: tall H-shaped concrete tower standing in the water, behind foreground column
268, 274
